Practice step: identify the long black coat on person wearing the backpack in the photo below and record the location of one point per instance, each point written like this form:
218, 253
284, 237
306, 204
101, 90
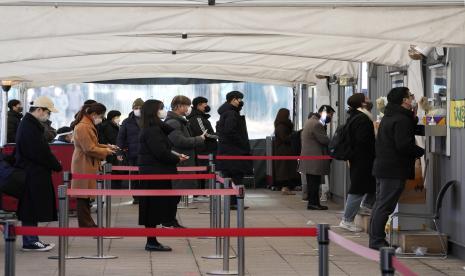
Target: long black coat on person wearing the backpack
362, 135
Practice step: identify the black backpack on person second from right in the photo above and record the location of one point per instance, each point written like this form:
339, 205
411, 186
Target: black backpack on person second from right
340, 146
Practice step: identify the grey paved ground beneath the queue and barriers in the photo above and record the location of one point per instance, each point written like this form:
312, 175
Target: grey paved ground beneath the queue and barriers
264, 256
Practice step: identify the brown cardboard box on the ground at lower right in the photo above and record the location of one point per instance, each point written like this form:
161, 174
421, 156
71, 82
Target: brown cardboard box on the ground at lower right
426, 239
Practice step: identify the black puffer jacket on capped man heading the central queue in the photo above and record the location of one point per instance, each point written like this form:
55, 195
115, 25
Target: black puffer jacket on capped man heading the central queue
233, 139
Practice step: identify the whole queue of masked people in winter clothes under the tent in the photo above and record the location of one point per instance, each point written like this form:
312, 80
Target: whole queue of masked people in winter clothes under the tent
158, 141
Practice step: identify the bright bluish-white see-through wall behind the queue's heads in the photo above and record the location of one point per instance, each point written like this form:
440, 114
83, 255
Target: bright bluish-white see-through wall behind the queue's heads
262, 101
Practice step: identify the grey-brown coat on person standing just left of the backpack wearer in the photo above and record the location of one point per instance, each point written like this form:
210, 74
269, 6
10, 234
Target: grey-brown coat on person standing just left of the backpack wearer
315, 142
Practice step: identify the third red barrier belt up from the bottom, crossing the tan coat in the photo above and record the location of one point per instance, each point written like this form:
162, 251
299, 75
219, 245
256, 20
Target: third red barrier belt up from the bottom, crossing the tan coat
143, 176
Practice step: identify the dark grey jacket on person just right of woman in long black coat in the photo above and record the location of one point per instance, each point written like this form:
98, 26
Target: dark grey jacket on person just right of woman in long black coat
182, 142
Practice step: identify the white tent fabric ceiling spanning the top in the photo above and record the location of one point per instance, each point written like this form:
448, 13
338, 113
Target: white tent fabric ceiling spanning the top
50, 45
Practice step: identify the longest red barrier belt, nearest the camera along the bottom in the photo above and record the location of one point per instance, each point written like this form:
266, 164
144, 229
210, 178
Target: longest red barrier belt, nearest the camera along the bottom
145, 232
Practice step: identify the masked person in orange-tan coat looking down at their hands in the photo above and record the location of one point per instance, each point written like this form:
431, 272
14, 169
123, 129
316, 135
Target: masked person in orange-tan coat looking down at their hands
87, 155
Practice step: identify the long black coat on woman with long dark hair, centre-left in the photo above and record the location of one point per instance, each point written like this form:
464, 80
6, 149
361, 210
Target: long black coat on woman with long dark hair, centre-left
155, 157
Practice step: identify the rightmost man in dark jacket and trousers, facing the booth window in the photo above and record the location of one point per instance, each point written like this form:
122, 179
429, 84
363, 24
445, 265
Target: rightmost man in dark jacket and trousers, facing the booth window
396, 152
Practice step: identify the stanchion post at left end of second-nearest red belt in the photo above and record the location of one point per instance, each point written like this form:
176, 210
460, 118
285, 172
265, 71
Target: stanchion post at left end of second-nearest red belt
63, 219
